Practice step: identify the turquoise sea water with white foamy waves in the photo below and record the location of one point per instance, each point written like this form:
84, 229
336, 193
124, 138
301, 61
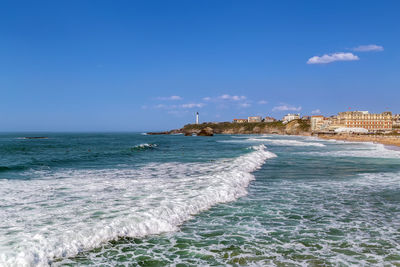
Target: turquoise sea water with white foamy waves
133, 199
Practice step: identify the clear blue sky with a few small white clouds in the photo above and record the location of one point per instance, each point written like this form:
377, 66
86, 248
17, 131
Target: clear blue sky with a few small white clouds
151, 65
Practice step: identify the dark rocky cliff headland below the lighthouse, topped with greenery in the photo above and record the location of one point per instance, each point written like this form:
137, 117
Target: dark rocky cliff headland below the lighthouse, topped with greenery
296, 127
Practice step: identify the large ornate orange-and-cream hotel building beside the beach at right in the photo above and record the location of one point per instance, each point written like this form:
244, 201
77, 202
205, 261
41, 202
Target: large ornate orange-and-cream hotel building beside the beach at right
366, 120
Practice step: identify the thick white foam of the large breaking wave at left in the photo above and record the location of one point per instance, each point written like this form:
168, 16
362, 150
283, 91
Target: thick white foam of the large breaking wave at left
66, 212
